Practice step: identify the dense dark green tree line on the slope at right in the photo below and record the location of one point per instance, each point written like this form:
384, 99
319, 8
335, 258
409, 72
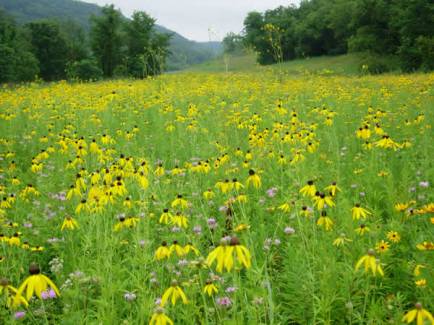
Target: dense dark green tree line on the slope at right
402, 30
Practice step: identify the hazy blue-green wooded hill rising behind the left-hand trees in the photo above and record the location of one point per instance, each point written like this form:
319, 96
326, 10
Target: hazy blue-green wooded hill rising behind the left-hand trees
184, 52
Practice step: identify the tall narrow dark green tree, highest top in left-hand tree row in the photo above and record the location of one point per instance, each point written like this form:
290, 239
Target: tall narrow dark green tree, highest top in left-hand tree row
106, 39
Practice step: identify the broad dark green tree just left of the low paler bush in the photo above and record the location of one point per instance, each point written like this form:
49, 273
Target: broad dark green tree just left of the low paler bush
50, 48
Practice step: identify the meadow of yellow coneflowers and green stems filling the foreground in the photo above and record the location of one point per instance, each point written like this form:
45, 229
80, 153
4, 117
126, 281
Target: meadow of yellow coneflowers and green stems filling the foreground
193, 198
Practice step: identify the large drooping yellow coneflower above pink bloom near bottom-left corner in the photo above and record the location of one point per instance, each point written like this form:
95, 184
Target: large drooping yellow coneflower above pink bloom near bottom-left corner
36, 283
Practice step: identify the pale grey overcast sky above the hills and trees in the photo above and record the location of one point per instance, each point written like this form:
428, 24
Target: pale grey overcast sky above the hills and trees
193, 18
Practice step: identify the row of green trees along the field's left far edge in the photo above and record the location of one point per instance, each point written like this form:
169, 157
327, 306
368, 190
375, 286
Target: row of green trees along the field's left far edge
54, 50
